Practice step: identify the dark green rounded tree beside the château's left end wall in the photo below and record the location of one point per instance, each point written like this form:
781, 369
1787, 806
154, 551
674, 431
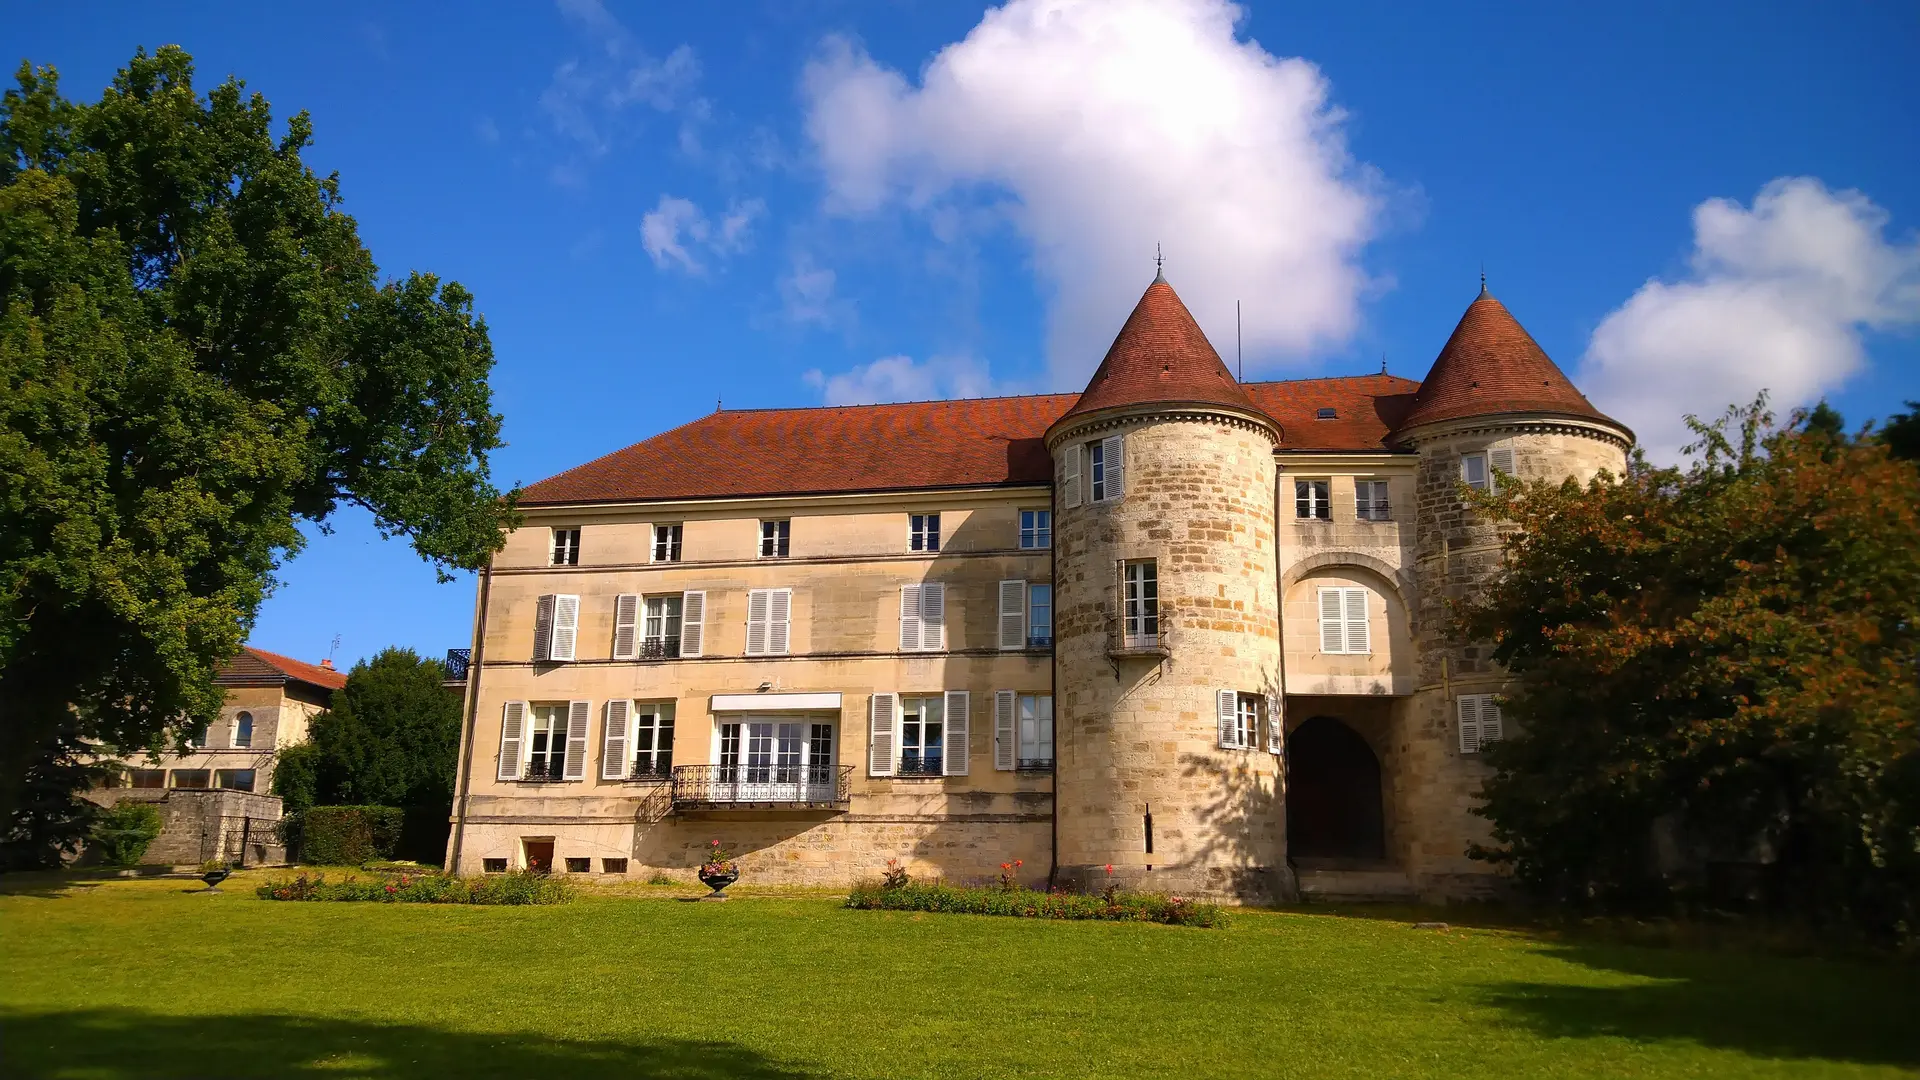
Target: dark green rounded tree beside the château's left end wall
391, 739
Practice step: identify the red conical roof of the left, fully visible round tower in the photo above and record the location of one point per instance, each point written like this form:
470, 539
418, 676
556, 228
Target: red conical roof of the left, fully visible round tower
1161, 356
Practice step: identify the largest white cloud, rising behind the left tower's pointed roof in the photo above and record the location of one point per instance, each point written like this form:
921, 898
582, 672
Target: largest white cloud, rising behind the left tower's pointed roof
1115, 126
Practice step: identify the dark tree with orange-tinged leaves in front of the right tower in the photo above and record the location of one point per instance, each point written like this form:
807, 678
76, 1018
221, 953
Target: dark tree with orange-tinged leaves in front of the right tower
1716, 670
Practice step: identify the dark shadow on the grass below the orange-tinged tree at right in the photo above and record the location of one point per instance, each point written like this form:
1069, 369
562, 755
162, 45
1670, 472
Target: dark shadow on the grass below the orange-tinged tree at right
1775, 1008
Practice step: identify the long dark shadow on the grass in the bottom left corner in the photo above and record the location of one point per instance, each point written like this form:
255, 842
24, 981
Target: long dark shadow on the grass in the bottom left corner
112, 1044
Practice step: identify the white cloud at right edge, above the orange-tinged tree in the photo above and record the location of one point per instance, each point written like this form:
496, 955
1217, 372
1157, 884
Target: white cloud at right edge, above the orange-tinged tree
1777, 299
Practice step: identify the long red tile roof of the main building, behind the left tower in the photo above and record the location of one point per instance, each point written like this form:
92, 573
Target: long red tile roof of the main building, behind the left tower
969, 443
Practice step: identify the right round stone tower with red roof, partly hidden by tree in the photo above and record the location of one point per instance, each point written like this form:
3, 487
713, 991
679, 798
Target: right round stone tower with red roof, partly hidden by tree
1493, 403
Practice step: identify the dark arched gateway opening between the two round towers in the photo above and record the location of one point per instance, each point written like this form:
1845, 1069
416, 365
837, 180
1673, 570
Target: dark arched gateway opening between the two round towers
1333, 795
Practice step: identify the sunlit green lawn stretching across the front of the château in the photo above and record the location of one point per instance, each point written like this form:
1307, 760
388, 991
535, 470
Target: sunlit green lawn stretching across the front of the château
145, 979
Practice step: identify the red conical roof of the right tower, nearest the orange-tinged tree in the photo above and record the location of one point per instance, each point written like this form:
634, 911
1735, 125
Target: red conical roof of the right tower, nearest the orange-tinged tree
1493, 366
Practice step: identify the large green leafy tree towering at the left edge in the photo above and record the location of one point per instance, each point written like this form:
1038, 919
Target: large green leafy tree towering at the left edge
197, 355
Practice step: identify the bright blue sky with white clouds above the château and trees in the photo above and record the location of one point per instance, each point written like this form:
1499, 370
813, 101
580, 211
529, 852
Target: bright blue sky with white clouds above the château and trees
661, 207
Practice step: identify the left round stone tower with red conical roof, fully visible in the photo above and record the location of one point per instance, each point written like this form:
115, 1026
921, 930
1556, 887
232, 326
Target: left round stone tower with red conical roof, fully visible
1166, 622
